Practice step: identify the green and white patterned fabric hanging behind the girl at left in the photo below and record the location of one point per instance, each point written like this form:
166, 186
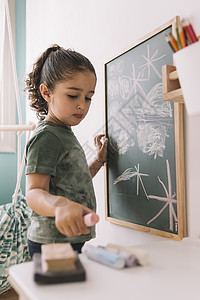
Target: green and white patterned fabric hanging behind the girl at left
14, 222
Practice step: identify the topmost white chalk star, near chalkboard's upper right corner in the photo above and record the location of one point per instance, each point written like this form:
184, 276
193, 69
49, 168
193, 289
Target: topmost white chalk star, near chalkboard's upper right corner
149, 63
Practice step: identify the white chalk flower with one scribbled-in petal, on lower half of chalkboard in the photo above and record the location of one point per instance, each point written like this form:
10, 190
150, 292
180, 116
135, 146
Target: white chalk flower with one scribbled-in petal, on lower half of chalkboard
129, 173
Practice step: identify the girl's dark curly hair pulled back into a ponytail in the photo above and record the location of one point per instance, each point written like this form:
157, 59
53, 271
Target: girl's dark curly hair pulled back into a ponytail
54, 65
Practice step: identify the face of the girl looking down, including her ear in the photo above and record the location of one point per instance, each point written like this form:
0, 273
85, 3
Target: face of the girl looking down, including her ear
69, 103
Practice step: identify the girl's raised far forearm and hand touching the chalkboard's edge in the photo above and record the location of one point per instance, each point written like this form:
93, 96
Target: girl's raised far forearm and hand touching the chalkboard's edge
101, 158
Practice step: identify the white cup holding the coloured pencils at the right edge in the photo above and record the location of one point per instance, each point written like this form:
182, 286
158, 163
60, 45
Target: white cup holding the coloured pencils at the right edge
187, 61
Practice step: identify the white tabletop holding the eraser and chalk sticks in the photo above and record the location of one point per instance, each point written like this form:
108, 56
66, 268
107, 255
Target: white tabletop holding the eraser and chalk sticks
173, 273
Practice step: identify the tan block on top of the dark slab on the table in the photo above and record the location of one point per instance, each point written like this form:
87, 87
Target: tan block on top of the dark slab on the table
58, 257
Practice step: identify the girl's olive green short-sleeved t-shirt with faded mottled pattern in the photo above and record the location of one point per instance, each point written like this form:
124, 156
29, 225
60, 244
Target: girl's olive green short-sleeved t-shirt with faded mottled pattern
55, 150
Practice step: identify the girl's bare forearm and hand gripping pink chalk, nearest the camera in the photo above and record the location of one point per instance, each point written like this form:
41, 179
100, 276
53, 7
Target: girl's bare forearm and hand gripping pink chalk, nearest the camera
68, 214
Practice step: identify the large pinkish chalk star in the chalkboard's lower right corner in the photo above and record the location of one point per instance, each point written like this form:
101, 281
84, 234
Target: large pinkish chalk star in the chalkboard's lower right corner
169, 201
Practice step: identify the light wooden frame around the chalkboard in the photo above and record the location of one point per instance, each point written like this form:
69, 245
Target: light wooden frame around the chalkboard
179, 155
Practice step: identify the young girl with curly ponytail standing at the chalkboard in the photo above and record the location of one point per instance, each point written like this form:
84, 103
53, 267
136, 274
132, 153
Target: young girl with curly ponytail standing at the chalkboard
59, 182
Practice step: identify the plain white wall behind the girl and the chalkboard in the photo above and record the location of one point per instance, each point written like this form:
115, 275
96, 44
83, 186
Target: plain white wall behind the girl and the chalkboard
100, 30
